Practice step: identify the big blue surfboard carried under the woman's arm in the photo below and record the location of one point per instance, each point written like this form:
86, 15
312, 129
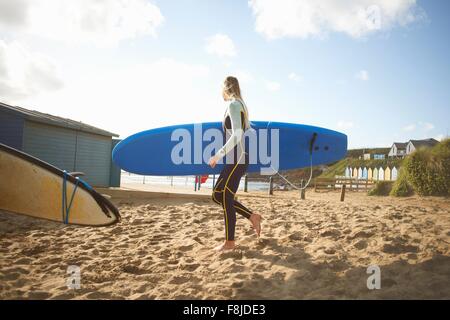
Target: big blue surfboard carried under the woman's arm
152, 152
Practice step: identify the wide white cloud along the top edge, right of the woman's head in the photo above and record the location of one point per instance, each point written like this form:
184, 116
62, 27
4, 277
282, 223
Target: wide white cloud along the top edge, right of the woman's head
305, 18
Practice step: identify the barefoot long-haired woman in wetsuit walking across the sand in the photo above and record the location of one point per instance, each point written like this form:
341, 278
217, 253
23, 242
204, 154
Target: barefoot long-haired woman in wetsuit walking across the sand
236, 160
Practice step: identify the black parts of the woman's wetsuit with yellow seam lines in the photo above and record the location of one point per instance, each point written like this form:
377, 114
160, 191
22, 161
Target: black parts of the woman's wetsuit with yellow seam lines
228, 182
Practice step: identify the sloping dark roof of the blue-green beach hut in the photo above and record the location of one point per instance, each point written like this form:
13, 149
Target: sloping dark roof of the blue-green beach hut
46, 118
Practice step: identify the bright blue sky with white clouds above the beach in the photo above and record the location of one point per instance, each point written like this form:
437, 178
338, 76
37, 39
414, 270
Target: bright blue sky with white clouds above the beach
143, 64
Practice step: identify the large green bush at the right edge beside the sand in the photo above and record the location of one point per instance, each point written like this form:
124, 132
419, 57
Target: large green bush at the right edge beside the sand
428, 170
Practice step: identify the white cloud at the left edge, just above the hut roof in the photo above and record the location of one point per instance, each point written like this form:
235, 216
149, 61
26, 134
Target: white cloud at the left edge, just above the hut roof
25, 74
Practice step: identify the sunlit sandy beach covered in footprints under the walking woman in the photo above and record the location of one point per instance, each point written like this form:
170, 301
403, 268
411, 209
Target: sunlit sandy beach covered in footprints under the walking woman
318, 248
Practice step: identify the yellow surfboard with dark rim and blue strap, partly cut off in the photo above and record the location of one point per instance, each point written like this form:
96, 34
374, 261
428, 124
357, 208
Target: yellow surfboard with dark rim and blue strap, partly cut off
35, 188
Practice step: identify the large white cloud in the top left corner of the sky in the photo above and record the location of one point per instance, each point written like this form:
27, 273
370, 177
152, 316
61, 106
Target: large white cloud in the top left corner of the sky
100, 22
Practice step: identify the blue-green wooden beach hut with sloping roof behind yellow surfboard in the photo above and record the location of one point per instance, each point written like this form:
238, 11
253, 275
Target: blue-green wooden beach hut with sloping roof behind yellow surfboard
67, 144
